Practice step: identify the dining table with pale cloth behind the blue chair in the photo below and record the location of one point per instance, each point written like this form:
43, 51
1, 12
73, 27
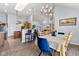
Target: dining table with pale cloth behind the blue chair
55, 42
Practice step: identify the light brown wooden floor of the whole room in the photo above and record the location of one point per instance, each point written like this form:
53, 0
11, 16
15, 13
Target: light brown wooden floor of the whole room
14, 47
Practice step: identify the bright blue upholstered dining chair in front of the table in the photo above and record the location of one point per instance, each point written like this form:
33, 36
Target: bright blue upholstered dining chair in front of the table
44, 46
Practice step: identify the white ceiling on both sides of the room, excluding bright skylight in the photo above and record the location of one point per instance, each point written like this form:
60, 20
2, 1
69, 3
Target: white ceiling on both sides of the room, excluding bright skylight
10, 7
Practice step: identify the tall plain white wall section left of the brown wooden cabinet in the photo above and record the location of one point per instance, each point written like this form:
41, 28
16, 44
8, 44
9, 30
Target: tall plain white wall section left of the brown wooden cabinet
11, 24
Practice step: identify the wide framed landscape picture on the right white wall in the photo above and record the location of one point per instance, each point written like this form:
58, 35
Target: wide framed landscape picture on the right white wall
67, 21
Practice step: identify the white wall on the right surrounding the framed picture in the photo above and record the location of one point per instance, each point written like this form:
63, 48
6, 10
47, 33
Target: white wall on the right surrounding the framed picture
64, 12
